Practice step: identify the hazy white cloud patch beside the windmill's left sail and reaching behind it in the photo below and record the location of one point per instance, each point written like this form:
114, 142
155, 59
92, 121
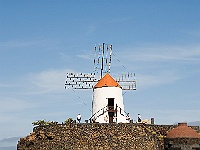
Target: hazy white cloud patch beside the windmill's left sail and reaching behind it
46, 82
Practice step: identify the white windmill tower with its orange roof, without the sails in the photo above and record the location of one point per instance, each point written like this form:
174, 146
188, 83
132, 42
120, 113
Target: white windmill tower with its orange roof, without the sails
107, 105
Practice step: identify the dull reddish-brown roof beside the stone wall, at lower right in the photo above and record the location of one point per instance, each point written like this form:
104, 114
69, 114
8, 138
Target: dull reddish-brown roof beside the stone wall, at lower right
182, 131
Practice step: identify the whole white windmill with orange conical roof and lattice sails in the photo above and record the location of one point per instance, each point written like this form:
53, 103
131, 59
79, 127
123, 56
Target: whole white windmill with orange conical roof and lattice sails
107, 104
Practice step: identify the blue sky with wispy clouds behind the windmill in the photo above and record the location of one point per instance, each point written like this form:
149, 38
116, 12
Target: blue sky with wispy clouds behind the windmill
43, 40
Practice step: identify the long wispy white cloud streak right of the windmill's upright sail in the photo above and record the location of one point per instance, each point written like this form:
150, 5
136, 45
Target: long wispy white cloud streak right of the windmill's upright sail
161, 53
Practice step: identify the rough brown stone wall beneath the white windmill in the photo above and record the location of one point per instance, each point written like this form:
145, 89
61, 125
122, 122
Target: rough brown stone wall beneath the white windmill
96, 136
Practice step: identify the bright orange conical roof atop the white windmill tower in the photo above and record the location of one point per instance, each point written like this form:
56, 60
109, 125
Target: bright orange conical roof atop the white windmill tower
108, 81
